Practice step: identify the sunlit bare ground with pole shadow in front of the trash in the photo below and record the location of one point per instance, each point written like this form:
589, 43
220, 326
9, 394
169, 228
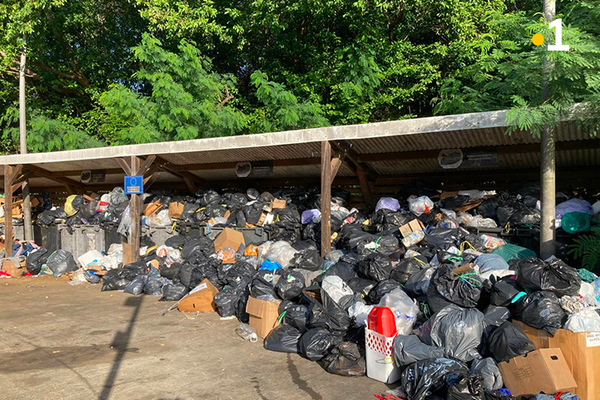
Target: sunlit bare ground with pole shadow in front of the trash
75, 342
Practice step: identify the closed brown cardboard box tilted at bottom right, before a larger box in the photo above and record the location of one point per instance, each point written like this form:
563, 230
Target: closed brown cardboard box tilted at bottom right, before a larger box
541, 371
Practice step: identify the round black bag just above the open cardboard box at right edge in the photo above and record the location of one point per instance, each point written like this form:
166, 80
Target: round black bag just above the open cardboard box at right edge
542, 310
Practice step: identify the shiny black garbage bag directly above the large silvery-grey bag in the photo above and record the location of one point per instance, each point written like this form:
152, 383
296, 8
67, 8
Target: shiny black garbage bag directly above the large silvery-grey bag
446, 288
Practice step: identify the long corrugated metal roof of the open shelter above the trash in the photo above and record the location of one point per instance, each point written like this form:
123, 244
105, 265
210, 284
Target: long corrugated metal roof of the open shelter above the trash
422, 134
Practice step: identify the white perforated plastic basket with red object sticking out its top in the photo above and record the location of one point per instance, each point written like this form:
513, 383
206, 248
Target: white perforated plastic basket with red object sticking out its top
380, 358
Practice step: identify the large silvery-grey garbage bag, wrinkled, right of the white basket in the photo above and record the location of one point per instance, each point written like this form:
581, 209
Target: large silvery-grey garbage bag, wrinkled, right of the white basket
457, 330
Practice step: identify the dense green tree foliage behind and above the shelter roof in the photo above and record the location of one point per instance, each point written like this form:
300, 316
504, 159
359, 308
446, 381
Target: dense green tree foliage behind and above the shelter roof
132, 71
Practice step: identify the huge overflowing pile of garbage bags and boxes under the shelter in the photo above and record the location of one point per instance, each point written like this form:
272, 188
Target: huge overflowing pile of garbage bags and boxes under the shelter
425, 290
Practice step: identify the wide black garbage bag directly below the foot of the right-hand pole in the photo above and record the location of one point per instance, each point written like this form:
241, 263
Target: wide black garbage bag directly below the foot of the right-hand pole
554, 276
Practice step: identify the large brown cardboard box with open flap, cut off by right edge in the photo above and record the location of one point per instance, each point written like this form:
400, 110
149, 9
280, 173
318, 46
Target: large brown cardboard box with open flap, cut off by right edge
582, 354
